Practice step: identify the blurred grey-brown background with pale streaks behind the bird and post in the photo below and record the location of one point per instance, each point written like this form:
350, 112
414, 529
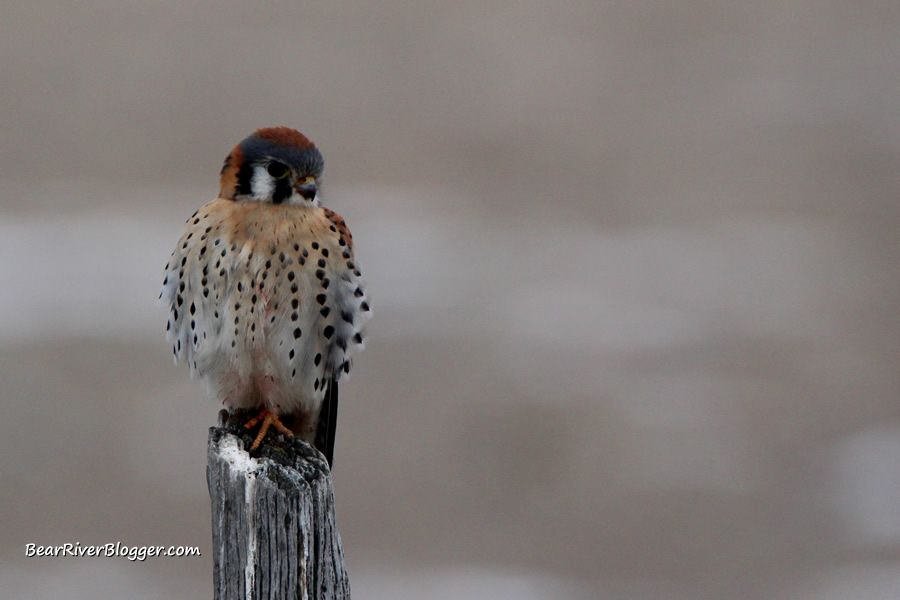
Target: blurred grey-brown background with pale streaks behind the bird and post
634, 267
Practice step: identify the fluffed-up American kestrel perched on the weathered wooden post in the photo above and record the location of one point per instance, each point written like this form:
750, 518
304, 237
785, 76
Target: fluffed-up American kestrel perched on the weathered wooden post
266, 303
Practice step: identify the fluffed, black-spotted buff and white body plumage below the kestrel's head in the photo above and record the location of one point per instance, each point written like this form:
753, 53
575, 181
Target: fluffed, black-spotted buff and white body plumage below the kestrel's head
265, 301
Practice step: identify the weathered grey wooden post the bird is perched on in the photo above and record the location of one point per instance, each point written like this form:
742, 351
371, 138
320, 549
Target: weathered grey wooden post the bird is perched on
274, 533
